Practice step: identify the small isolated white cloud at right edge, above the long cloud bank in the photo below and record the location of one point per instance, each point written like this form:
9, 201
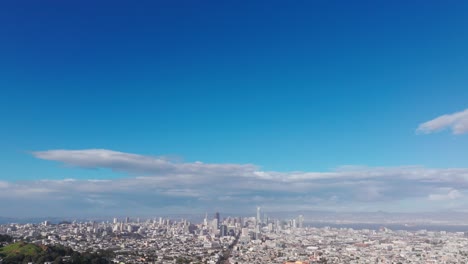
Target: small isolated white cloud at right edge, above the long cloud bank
457, 122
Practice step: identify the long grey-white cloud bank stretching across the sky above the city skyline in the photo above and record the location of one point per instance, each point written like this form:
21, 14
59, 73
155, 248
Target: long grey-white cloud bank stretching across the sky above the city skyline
157, 184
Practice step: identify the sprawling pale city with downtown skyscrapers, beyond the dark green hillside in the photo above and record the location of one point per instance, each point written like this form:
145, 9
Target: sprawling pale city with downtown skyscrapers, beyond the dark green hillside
245, 240
